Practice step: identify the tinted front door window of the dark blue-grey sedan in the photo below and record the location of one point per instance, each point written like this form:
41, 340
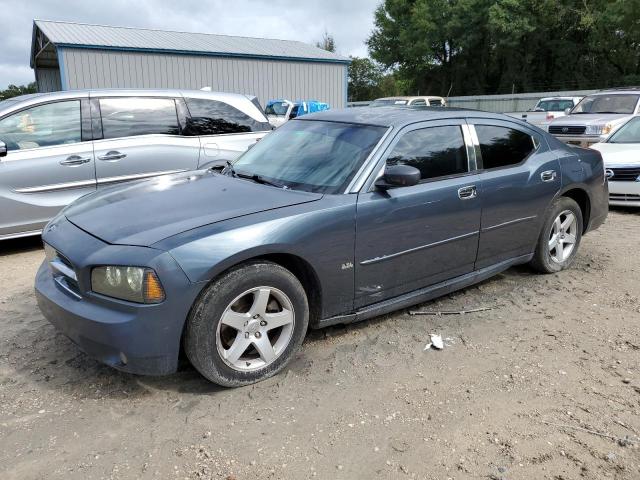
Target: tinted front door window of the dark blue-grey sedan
435, 151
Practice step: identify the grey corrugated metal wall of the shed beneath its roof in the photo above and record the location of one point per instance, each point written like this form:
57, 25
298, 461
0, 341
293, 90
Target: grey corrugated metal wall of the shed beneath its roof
267, 79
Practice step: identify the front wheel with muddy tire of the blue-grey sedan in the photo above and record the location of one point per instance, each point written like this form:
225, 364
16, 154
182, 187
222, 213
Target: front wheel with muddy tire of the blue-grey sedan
247, 324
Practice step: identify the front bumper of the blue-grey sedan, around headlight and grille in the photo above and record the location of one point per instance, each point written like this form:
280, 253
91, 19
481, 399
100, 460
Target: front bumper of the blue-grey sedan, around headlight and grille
135, 338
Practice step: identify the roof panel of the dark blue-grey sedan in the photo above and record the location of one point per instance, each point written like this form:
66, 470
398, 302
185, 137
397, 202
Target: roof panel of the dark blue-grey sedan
399, 116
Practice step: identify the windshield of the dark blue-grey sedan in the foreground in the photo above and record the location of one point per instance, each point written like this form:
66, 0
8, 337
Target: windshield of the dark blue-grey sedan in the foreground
314, 156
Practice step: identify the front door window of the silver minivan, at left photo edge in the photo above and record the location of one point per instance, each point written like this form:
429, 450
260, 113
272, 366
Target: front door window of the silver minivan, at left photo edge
42, 126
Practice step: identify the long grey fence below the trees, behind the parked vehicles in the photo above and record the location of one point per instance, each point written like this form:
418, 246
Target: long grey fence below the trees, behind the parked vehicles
518, 102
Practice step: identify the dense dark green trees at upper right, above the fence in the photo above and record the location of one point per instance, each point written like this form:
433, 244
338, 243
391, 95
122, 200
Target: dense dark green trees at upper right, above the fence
499, 46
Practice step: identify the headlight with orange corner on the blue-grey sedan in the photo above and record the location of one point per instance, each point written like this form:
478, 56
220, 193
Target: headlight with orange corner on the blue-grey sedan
135, 284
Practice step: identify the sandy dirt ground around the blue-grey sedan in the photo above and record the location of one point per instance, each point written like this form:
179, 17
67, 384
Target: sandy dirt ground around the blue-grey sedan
544, 386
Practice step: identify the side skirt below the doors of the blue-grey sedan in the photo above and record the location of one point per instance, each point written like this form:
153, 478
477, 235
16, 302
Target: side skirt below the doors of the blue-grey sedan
424, 294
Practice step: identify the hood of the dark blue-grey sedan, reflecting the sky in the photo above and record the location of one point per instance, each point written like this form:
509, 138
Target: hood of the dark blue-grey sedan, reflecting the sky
143, 213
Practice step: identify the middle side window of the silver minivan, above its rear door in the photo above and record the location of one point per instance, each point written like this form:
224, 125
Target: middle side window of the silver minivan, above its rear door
132, 116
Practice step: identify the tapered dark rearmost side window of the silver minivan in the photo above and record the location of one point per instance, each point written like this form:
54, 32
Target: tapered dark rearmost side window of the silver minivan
212, 117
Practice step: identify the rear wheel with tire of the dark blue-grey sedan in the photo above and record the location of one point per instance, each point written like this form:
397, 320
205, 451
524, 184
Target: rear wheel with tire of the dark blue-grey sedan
560, 237
